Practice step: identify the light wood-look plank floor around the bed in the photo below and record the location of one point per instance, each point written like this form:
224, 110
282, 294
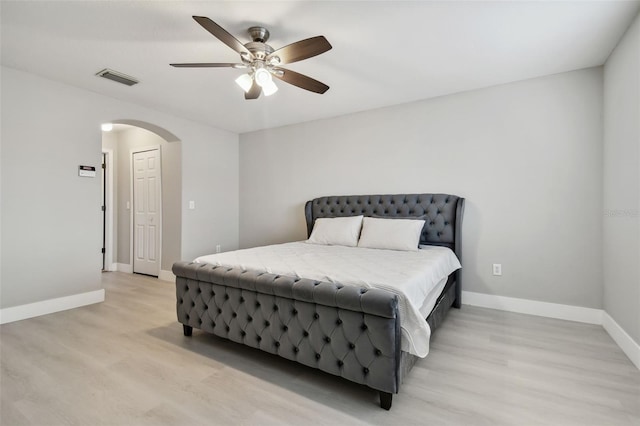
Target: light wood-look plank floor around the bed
126, 362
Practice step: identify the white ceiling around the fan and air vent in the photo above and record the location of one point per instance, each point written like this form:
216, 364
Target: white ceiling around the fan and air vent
384, 53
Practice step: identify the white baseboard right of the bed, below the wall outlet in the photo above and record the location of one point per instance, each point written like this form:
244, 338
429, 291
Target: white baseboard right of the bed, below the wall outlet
532, 307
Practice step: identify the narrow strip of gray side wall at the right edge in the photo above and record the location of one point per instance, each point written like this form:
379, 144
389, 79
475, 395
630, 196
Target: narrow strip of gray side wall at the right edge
622, 183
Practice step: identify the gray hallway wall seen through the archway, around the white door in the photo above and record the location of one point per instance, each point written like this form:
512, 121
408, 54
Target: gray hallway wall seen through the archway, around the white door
127, 141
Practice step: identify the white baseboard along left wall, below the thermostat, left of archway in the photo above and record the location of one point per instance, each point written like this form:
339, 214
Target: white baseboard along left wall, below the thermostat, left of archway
36, 309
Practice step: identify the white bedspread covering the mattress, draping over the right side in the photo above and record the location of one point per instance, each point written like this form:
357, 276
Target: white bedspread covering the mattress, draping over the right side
414, 276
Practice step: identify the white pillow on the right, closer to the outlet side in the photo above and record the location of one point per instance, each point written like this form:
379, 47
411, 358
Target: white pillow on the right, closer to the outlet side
391, 234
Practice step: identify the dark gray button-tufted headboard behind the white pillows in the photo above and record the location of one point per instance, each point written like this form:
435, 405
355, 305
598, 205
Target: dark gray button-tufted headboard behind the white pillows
442, 212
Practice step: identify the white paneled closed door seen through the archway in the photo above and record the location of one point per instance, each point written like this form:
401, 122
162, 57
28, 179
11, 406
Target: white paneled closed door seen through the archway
147, 208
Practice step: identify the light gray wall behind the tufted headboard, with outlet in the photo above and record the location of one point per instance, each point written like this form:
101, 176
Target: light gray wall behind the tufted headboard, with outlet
527, 156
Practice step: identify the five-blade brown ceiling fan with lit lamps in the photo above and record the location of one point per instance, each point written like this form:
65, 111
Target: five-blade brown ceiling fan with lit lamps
263, 62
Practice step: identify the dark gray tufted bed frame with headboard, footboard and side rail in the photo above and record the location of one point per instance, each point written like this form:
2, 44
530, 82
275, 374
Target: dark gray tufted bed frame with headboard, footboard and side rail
346, 331
